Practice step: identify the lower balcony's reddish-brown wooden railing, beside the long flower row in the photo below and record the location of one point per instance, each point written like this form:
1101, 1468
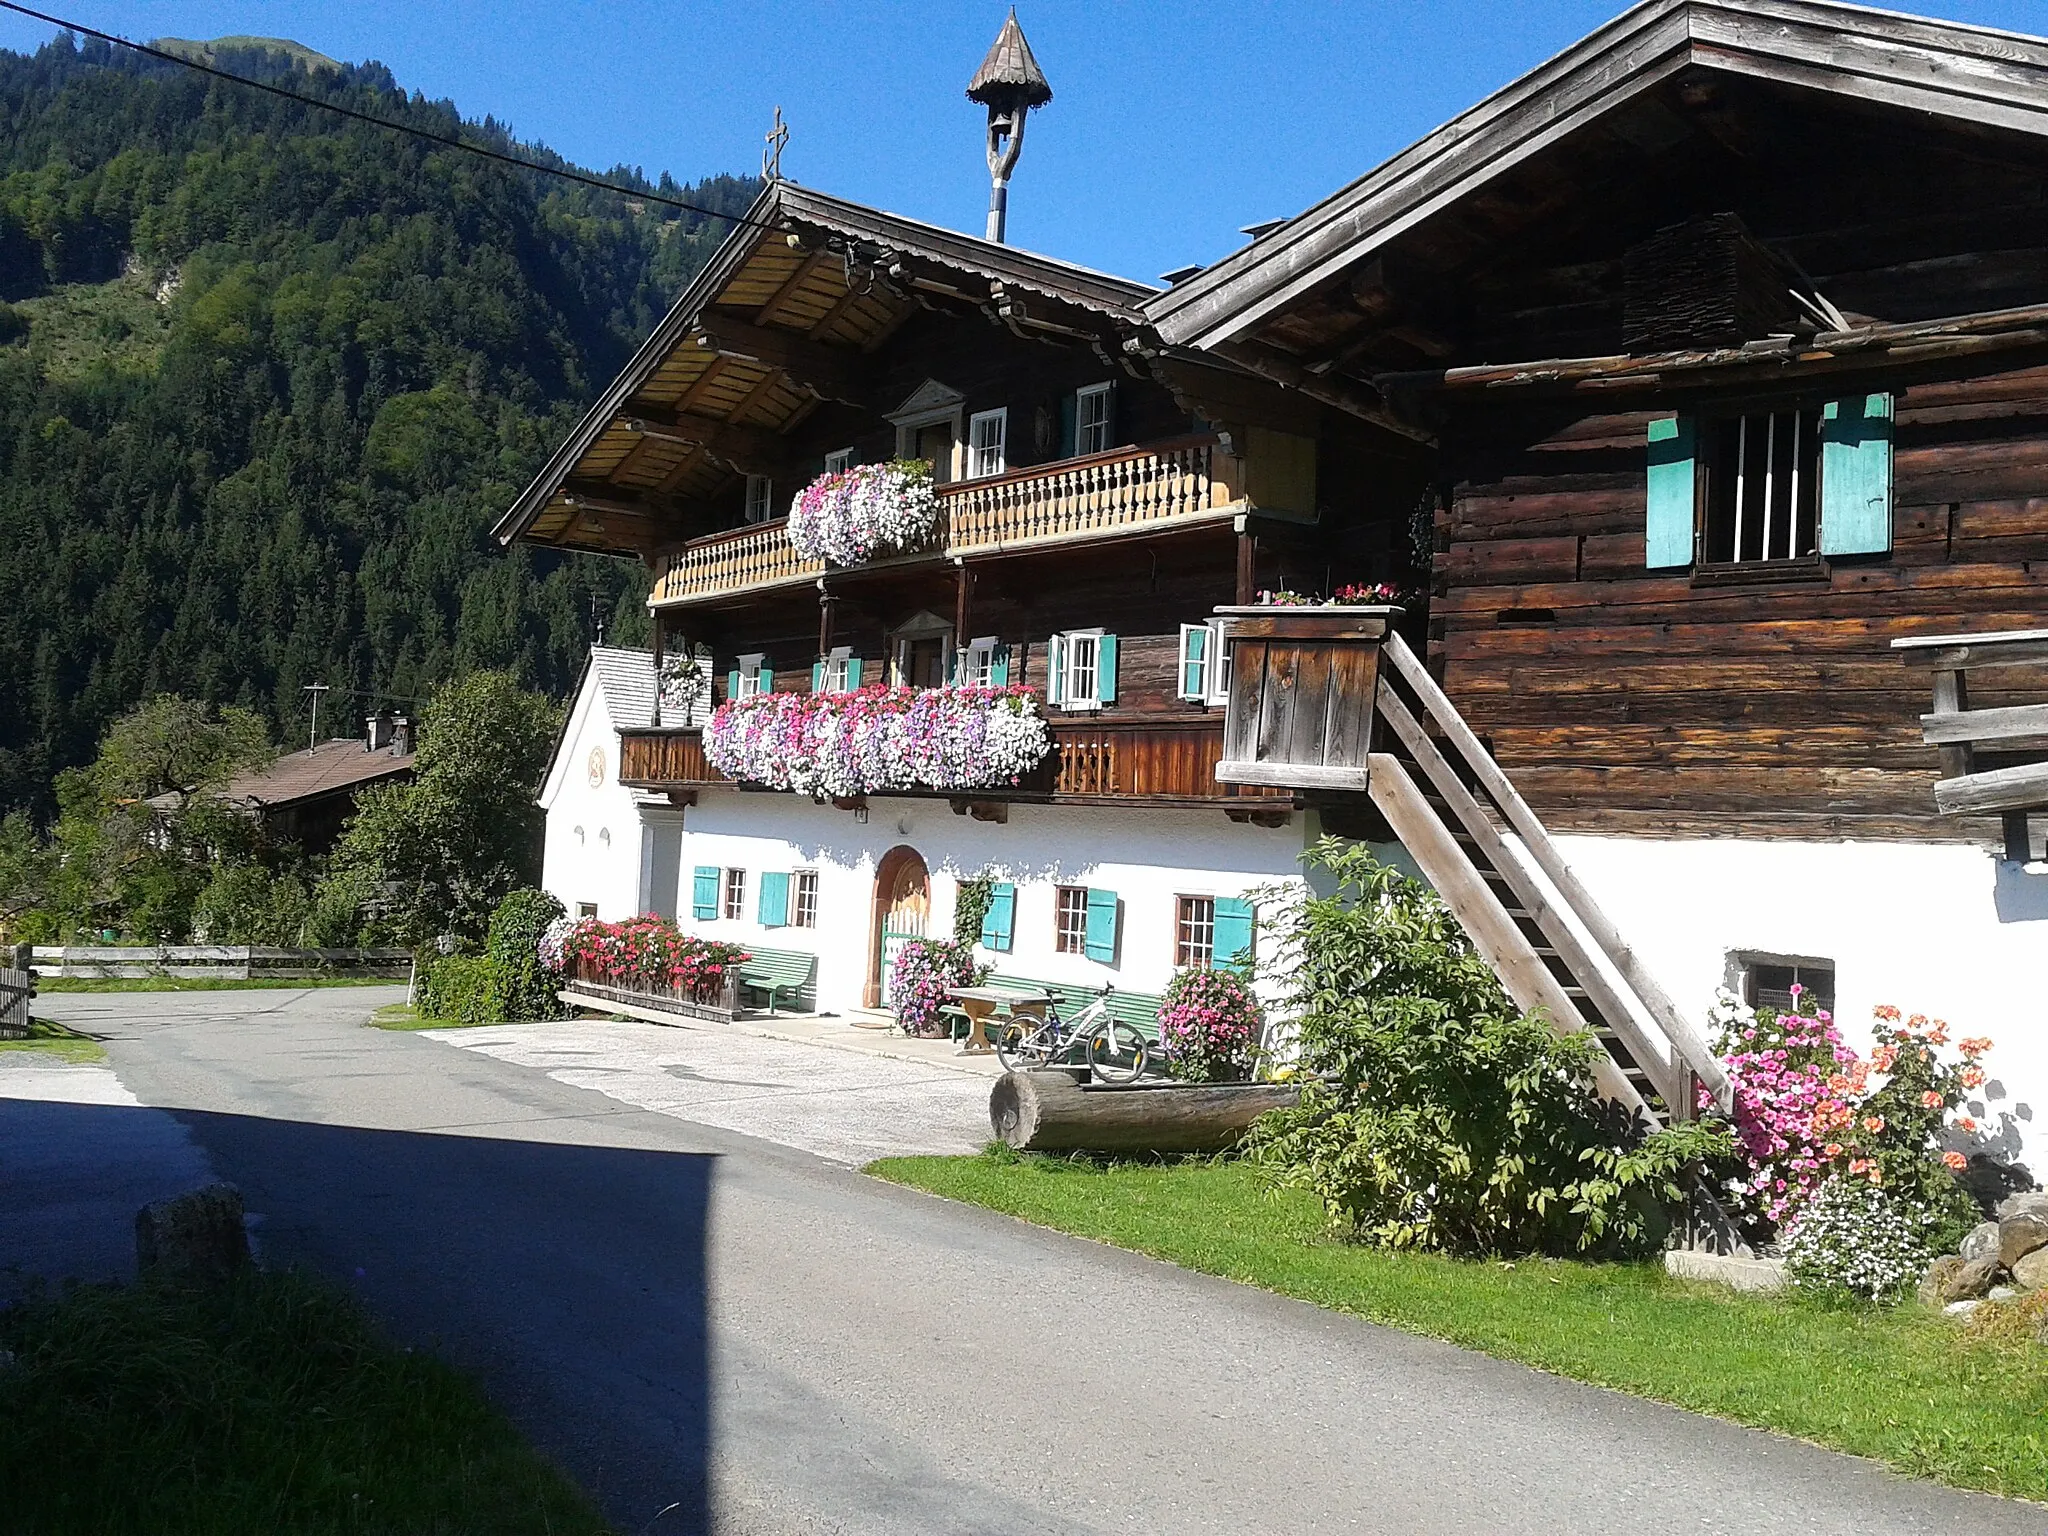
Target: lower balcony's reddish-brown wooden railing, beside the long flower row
1093, 763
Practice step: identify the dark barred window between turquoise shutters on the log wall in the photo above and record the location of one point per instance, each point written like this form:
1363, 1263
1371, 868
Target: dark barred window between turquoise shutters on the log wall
1762, 488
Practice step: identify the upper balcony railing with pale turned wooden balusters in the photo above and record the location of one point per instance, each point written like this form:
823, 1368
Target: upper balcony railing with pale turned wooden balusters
1150, 488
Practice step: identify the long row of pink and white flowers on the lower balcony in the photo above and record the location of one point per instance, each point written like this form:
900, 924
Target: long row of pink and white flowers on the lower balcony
878, 740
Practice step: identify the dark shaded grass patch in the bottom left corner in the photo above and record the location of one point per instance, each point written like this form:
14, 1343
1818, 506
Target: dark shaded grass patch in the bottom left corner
263, 1408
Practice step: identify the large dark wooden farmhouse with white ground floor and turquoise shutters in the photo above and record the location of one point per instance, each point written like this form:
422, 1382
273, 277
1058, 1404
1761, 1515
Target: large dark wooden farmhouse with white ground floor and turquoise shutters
1695, 394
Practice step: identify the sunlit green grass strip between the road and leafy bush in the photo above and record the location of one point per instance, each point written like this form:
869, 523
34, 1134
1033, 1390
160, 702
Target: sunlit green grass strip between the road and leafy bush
1902, 1385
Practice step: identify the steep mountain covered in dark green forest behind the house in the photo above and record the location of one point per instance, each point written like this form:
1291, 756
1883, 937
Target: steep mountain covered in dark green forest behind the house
267, 376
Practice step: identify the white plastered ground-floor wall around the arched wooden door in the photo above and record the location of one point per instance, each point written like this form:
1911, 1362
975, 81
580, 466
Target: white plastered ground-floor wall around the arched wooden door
1146, 857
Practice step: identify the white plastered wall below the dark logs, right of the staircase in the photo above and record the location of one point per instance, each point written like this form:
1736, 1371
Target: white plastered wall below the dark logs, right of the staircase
1943, 931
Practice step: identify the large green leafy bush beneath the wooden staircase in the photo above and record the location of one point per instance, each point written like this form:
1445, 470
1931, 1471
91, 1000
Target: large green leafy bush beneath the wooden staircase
1437, 1115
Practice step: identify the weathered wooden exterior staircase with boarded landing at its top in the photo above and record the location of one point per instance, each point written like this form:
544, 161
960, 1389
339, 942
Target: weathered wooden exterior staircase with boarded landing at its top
1334, 701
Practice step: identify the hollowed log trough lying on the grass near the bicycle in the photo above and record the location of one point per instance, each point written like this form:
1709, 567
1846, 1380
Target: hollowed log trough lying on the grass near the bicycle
1056, 1111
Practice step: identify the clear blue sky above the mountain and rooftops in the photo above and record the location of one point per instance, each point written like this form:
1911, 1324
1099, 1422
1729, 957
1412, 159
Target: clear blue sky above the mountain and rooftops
1170, 128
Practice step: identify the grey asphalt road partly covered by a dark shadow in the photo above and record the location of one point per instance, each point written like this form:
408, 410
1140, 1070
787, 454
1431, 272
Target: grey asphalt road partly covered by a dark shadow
716, 1332
